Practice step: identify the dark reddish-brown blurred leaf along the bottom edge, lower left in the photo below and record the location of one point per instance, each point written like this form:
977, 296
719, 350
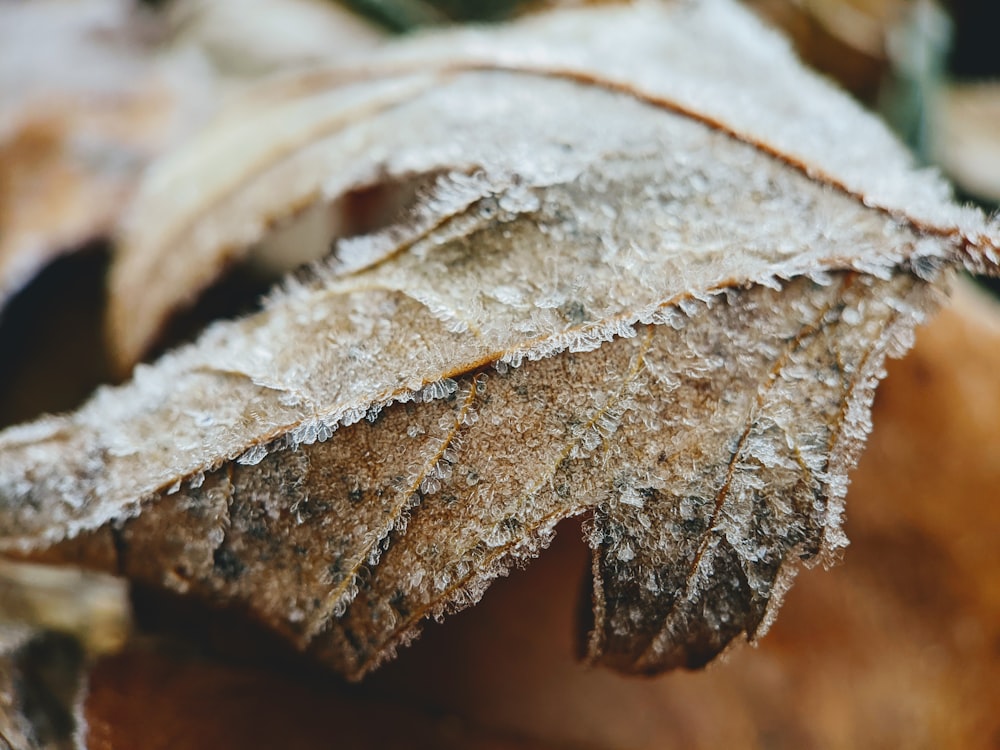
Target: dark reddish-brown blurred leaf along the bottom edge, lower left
160, 699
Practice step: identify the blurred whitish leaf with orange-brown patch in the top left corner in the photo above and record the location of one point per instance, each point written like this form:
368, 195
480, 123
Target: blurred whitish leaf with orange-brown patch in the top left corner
85, 104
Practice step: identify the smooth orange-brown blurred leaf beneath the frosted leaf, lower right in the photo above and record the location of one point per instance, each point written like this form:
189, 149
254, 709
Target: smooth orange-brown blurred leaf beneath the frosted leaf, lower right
909, 621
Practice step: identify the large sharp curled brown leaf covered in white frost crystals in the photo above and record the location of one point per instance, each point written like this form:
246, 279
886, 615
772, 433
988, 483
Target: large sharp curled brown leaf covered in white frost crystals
636, 280
